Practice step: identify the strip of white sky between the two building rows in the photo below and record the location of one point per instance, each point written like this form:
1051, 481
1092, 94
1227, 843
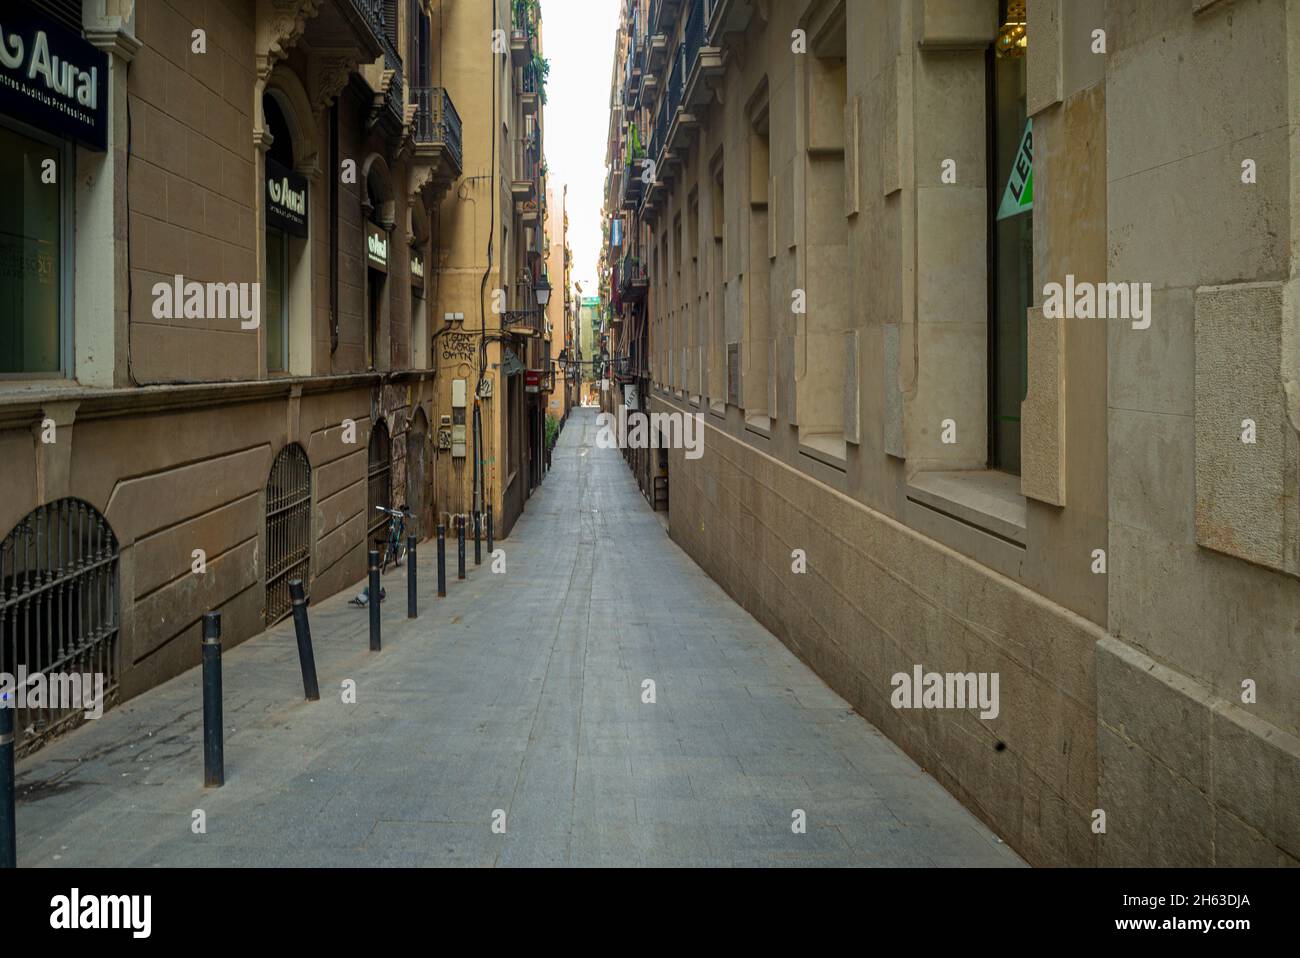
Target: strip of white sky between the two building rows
579, 40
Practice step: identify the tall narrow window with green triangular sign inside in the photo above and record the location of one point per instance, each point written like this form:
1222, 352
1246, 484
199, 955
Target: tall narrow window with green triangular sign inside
1011, 239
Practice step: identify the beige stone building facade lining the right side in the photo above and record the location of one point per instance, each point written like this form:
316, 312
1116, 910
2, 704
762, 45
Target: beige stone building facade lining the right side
991, 323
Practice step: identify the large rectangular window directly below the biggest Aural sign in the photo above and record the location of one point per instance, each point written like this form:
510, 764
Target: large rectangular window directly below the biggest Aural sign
36, 257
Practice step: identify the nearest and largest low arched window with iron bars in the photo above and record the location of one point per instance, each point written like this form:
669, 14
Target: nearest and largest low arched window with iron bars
59, 613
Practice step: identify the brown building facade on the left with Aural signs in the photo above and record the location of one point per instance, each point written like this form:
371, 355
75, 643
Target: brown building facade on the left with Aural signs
244, 258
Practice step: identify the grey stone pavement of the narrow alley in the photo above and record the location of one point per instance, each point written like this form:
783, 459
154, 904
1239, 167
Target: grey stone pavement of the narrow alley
521, 693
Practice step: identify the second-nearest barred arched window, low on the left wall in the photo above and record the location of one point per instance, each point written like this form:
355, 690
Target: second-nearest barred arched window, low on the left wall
289, 528
